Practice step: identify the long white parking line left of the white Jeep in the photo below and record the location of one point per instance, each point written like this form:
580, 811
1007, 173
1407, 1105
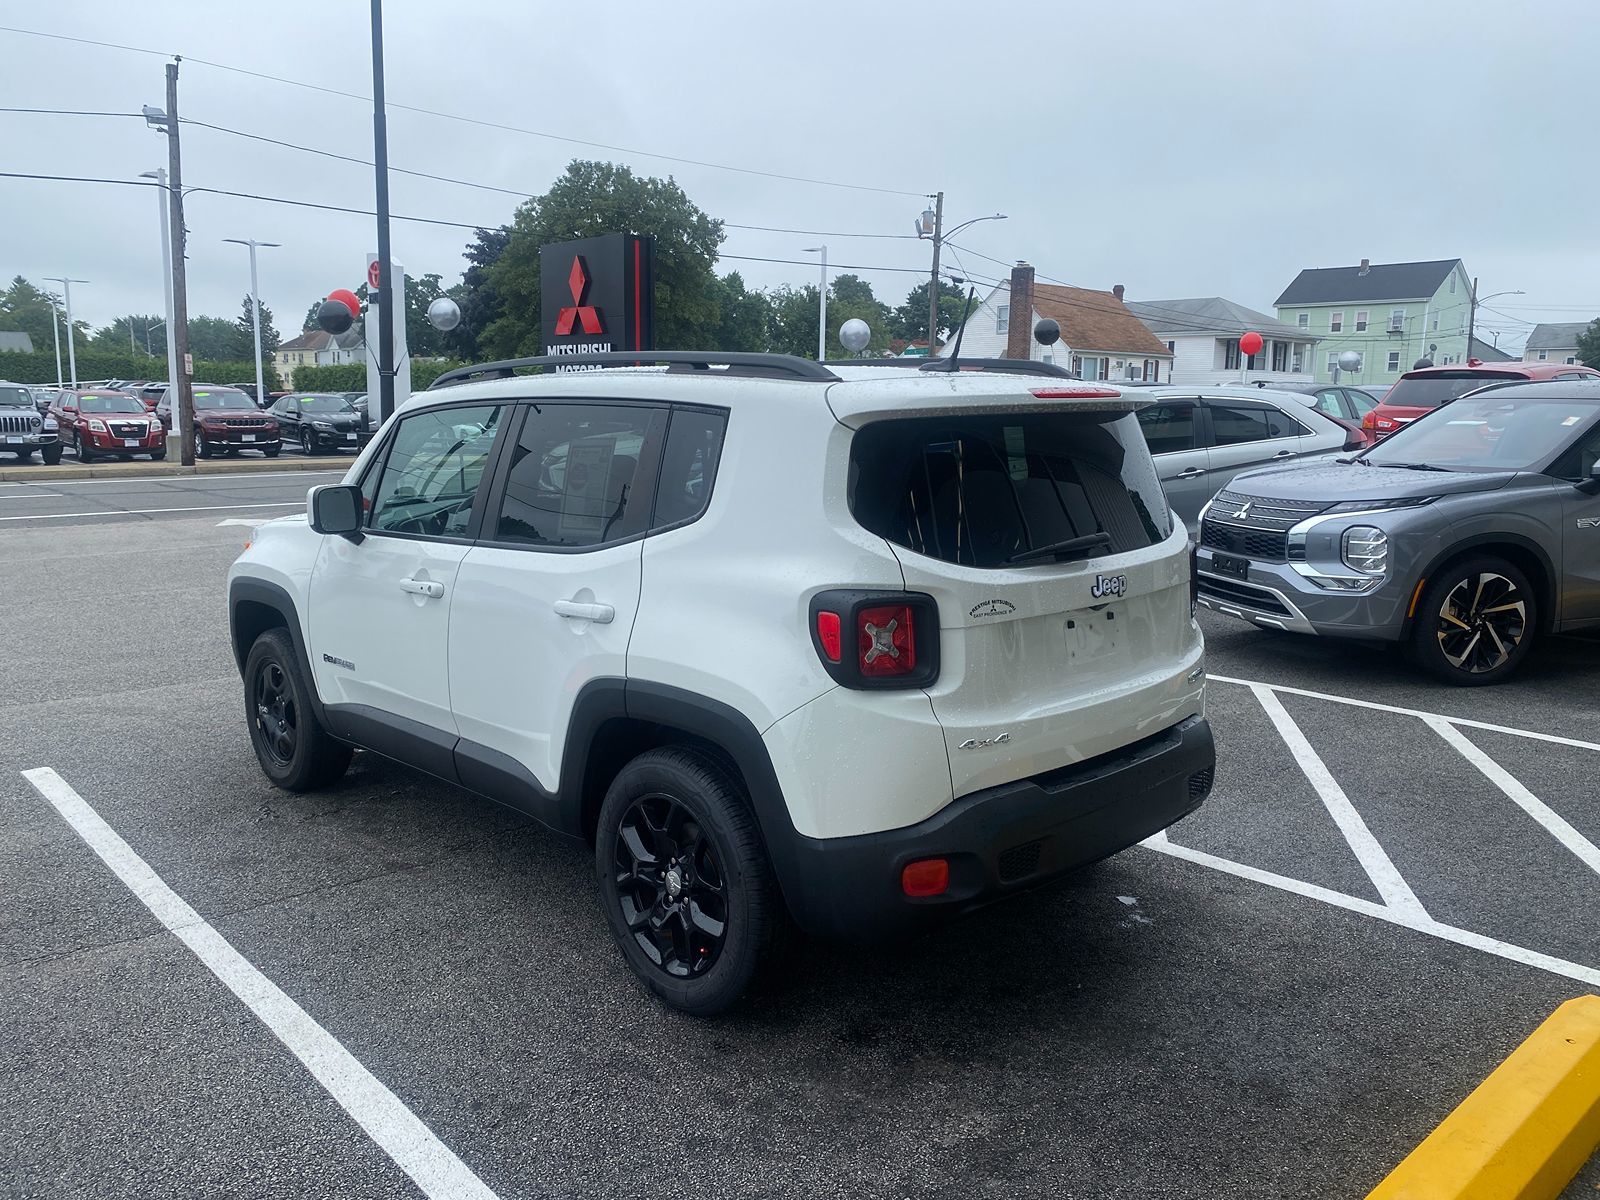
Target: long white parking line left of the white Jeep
378, 1111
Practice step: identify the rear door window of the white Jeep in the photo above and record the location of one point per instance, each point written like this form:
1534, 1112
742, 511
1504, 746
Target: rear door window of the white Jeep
580, 476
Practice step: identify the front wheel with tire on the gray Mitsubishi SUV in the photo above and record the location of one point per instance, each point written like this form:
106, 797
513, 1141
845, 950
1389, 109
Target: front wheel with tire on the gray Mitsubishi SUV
1476, 623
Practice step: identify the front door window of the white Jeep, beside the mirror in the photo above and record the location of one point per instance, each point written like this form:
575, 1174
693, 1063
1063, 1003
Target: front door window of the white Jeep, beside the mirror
434, 470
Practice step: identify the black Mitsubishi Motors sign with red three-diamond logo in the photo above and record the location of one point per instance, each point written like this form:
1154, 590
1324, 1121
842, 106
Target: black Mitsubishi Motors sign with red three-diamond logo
596, 295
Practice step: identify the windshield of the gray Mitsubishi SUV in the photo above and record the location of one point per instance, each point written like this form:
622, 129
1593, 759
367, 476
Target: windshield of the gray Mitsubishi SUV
1489, 434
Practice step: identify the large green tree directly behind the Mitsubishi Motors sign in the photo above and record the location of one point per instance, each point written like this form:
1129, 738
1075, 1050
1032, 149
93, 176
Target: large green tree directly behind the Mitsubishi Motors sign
593, 199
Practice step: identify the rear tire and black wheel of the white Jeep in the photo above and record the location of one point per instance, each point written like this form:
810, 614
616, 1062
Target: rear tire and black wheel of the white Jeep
686, 881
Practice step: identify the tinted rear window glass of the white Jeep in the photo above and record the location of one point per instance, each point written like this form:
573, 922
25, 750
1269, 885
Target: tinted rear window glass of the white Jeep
978, 490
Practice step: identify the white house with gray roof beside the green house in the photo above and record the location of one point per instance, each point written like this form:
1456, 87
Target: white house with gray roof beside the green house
1204, 334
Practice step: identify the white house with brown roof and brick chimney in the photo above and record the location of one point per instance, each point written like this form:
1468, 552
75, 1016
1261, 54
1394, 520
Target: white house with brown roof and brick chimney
1100, 337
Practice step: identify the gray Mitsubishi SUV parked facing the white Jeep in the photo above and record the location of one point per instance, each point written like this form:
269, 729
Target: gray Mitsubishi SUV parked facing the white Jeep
1465, 535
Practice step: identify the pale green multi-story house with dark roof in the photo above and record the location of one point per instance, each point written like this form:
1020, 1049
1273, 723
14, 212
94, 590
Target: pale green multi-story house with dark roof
1391, 314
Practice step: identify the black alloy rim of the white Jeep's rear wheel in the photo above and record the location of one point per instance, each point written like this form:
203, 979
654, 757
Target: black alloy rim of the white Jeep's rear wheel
671, 887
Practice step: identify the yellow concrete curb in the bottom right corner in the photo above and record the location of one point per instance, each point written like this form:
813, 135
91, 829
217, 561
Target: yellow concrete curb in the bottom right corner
1526, 1130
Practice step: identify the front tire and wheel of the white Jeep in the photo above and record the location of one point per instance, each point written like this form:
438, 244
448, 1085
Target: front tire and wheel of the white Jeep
294, 750
